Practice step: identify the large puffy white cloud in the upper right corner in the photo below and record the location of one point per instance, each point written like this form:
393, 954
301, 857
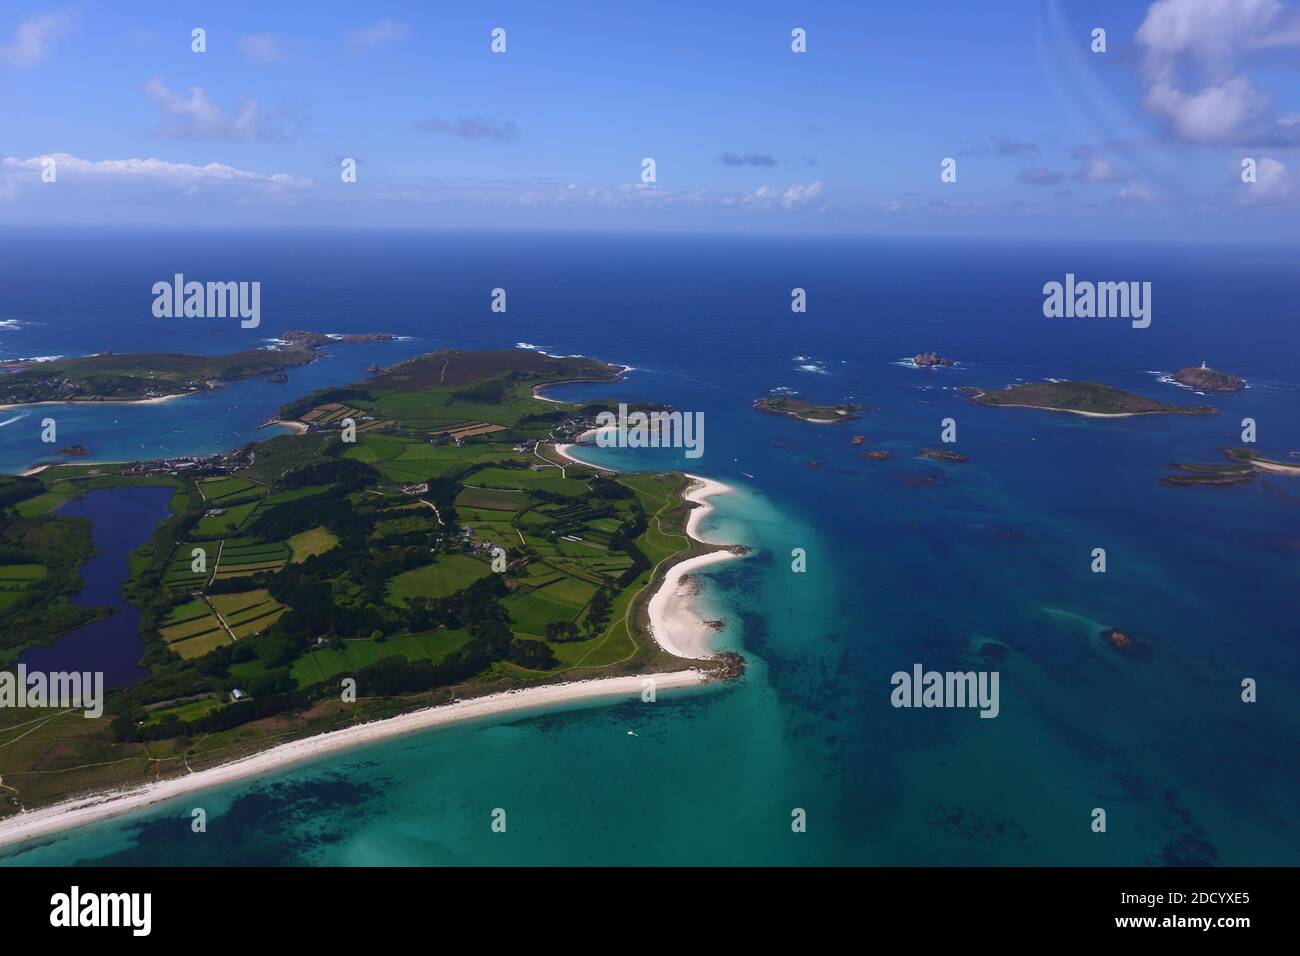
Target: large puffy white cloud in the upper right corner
1208, 40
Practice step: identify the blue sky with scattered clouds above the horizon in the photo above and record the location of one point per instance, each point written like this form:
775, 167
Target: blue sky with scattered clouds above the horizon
1050, 139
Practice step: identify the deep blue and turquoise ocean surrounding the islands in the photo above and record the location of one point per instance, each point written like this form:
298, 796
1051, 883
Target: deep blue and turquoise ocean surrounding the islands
909, 561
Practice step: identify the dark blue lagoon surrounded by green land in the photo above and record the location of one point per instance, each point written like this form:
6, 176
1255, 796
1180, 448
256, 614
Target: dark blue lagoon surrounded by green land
123, 520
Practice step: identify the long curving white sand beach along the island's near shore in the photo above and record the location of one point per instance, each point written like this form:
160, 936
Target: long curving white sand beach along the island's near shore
72, 814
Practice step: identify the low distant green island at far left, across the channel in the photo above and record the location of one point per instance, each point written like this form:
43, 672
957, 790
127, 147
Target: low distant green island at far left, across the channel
110, 378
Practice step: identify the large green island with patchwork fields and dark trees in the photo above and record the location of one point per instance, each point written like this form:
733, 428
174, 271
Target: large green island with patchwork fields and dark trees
448, 552
